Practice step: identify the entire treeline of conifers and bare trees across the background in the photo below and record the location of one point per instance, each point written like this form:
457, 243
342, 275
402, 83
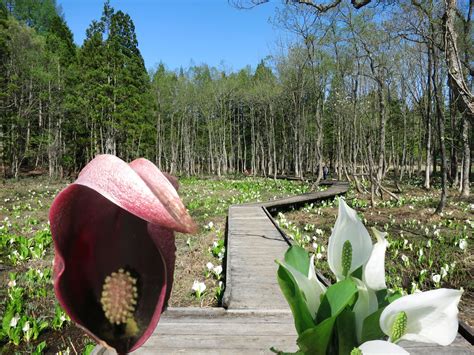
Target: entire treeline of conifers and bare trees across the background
360, 92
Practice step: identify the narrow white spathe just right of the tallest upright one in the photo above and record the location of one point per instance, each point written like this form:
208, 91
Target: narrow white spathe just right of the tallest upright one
374, 270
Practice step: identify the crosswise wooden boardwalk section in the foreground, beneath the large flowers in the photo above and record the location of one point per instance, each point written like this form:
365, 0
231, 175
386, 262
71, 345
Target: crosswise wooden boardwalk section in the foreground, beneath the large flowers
216, 331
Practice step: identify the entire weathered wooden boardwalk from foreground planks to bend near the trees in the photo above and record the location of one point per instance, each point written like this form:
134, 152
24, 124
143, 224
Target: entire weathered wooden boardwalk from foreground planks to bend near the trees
256, 317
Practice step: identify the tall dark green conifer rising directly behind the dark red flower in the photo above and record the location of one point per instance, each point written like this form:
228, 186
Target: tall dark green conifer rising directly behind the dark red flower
115, 86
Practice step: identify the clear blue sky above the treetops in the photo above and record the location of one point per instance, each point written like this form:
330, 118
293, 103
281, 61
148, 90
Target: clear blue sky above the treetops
184, 32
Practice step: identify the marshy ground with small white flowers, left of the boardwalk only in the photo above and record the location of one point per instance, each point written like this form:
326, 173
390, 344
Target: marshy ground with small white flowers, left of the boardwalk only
32, 321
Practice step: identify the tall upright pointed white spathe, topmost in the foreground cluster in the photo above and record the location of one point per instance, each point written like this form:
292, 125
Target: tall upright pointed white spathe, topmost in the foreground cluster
348, 227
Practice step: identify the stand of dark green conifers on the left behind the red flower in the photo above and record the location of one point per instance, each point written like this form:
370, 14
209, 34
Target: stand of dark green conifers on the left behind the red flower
62, 105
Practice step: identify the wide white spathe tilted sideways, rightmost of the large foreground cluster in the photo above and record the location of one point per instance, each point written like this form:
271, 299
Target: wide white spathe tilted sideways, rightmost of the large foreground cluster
432, 316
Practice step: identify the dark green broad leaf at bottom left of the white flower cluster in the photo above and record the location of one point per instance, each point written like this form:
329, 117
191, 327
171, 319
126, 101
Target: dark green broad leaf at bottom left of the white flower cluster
315, 341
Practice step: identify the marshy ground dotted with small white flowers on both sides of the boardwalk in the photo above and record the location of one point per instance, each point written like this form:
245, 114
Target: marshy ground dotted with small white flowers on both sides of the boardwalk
422, 245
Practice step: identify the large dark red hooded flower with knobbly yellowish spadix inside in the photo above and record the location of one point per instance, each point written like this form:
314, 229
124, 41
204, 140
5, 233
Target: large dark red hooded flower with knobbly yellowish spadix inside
113, 232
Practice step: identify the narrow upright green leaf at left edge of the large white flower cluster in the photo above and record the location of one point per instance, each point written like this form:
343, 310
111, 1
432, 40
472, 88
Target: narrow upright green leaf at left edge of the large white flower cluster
296, 300
